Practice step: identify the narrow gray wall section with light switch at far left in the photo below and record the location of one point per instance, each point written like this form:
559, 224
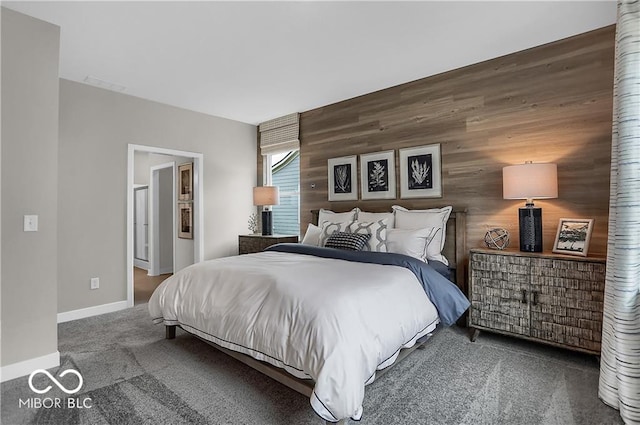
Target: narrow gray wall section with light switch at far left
30, 52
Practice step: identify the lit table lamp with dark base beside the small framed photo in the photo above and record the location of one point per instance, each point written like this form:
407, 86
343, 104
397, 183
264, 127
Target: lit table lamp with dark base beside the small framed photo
530, 181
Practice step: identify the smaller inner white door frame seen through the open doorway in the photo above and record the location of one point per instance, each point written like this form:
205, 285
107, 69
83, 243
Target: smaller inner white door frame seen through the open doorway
154, 222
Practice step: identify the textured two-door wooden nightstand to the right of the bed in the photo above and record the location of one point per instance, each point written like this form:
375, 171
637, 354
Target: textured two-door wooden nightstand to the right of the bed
544, 297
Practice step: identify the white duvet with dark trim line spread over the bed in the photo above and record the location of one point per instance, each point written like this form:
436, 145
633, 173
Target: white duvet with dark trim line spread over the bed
331, 320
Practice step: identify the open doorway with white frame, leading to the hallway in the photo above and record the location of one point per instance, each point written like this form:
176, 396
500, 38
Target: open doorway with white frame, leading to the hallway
162, 235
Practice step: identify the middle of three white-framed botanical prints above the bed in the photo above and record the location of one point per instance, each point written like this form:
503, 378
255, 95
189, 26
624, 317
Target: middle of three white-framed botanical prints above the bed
378, 175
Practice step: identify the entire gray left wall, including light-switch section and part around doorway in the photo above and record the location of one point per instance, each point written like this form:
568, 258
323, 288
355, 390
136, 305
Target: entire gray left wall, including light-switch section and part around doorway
64, 157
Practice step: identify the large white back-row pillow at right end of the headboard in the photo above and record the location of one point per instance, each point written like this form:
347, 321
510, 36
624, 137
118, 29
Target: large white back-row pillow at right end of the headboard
419, 219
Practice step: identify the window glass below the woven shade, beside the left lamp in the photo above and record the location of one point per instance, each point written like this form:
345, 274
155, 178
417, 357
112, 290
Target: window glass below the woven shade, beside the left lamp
283, 170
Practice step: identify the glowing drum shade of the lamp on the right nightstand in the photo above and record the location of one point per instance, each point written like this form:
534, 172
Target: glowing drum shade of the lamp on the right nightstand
530, 181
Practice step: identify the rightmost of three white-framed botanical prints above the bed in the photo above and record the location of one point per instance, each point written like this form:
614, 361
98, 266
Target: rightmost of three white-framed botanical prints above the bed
420, 172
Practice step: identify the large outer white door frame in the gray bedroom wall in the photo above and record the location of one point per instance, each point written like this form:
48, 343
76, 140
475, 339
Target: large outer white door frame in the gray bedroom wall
198, 205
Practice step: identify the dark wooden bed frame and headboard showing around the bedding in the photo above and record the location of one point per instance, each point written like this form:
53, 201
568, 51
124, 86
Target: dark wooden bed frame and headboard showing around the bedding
455, 251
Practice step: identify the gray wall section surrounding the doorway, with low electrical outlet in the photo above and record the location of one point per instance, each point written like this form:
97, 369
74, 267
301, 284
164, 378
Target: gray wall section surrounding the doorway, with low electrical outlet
96, 127
